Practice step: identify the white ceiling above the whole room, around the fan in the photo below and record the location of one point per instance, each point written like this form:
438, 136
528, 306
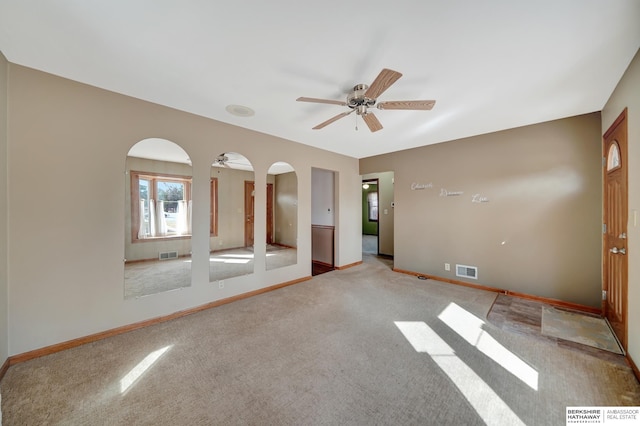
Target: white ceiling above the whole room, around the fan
491, 65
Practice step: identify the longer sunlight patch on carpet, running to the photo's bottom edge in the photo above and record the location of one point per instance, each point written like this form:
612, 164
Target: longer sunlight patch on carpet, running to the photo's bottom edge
489, 406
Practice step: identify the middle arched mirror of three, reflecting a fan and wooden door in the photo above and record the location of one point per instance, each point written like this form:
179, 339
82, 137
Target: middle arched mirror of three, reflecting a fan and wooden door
231, 217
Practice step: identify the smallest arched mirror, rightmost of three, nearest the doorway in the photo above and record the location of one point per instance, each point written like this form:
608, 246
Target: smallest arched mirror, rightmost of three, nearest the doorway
282, 216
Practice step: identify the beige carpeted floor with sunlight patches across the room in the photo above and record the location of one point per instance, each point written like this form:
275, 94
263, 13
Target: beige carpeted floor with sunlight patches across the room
359, 346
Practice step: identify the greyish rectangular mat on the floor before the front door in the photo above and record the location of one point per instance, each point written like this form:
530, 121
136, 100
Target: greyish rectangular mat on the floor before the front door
579, 328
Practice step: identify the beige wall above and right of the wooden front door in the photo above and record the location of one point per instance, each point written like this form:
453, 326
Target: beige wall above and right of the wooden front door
627, 95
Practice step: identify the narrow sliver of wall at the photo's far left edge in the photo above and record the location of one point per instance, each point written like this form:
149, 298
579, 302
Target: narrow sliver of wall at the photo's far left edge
4, 277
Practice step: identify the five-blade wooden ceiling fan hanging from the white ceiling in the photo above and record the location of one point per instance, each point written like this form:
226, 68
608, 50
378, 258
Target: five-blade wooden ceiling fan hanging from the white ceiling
363, 97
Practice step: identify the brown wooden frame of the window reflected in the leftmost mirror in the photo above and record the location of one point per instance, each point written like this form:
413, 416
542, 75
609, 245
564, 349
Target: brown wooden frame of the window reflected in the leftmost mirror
154, 177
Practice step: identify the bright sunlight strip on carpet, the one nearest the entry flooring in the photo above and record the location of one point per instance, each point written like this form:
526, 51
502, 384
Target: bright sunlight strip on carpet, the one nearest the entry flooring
469, 327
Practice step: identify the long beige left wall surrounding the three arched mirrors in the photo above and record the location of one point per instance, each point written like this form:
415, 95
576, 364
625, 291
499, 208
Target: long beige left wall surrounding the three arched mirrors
68, 143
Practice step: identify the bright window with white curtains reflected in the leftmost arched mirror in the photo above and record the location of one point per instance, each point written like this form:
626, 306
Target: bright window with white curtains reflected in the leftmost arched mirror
160, 206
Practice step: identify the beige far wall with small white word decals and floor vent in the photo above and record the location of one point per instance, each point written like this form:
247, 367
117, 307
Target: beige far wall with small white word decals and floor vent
538, 227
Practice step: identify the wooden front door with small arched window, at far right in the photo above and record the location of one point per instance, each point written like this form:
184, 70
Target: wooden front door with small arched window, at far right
615, 227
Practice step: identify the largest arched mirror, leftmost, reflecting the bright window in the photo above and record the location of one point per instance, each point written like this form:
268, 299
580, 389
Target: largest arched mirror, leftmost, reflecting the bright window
157, 218
